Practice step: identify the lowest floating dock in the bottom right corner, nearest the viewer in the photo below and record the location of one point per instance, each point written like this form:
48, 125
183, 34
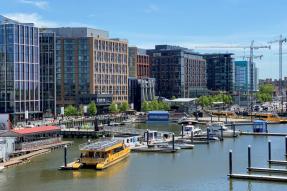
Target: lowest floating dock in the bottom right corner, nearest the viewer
258, 177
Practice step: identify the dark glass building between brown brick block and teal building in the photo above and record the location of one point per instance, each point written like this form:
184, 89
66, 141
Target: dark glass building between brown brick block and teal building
220, 72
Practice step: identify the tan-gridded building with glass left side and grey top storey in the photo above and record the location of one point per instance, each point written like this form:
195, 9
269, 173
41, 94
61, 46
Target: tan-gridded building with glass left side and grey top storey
88, 62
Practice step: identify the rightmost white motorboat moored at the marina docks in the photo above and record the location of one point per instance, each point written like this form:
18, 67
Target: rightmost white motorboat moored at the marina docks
216, 128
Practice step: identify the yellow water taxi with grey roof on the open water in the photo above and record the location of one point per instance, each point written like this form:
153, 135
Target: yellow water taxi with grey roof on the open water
100, 155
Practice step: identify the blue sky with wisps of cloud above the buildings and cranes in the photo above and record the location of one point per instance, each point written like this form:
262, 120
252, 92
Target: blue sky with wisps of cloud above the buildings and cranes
187, 23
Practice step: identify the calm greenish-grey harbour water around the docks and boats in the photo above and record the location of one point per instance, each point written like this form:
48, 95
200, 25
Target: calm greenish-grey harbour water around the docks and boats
203, 168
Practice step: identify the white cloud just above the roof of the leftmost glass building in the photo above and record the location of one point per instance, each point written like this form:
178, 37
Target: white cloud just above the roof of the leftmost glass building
31, 18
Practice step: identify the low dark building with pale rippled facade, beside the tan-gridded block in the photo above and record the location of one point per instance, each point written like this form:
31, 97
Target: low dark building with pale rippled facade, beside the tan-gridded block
141, 90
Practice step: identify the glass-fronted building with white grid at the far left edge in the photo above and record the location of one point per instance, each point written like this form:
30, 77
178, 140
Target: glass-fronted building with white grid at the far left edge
19, 69
